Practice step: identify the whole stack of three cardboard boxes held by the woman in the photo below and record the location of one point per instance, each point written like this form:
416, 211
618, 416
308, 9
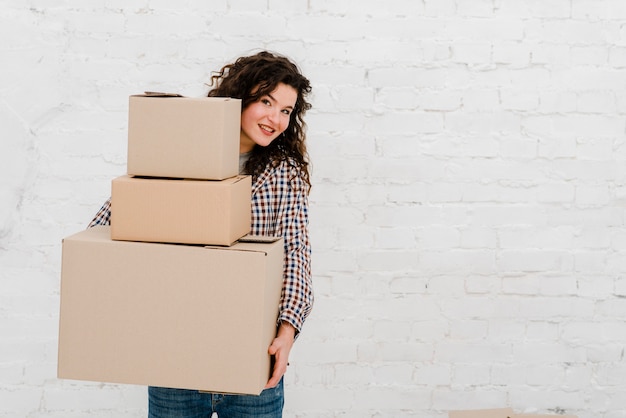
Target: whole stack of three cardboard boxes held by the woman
171, 294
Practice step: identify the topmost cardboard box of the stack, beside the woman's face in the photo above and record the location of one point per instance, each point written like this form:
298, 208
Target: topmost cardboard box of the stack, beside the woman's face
183, 137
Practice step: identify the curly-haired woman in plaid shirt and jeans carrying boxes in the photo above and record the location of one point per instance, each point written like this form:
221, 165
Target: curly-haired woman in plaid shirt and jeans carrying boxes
273, 151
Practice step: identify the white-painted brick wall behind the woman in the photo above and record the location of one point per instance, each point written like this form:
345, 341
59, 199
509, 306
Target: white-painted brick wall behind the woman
469, 203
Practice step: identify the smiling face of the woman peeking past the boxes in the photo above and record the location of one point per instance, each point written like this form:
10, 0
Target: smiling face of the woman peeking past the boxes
264, 120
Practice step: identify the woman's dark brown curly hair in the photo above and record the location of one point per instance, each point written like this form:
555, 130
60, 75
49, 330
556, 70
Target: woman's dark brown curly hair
252, 77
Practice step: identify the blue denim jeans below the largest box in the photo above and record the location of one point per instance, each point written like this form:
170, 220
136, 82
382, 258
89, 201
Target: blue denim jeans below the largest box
182, 403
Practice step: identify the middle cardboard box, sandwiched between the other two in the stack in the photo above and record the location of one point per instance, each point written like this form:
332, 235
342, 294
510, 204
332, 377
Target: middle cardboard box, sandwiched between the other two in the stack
184, 211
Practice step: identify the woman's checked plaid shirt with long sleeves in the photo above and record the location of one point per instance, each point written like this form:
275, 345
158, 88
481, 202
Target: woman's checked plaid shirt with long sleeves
279, 208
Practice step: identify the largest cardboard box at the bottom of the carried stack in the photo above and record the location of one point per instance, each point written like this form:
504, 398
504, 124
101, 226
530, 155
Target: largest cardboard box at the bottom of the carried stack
168, 315
